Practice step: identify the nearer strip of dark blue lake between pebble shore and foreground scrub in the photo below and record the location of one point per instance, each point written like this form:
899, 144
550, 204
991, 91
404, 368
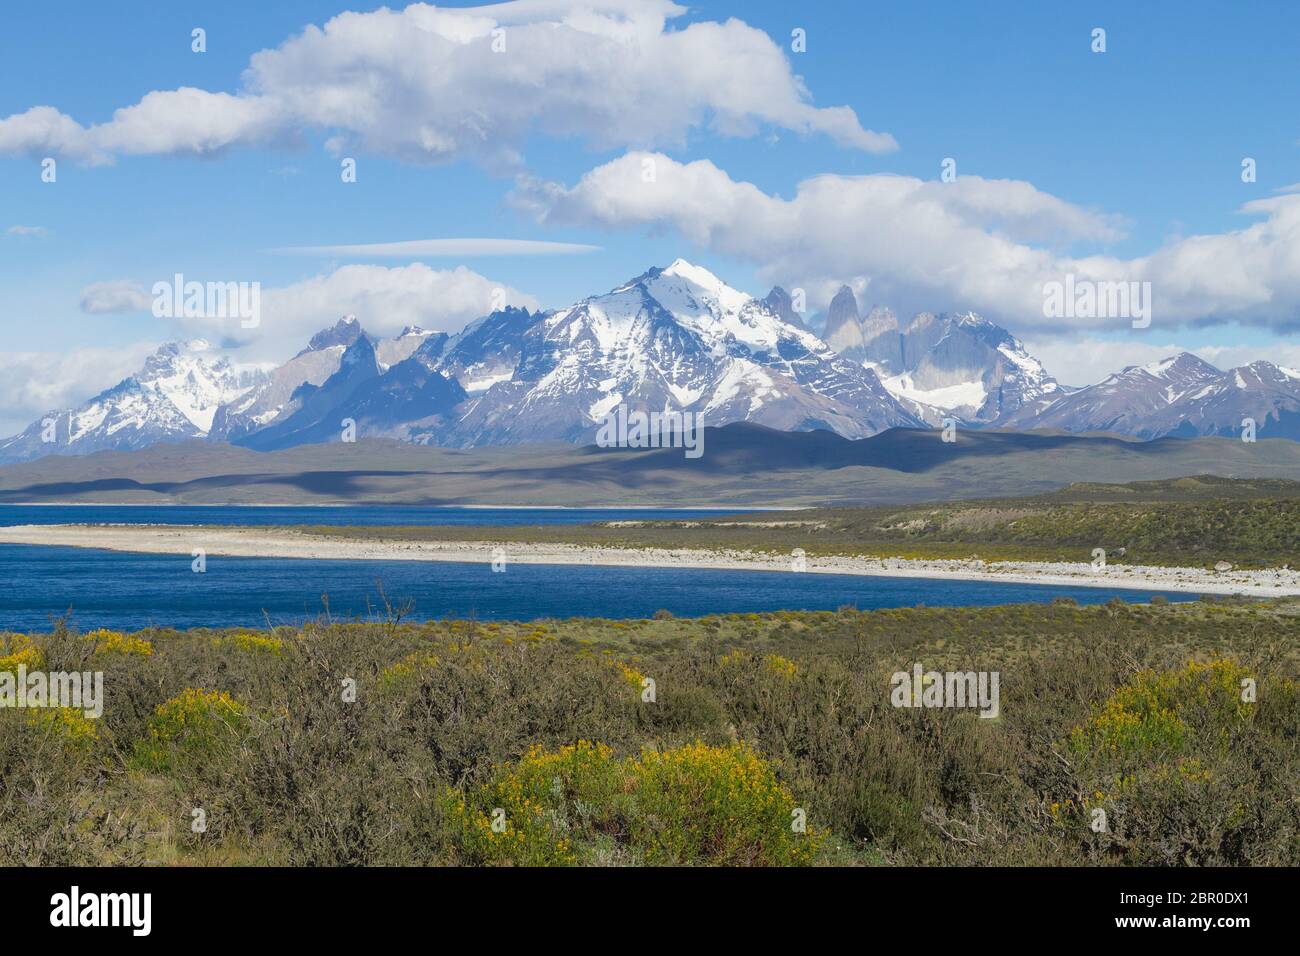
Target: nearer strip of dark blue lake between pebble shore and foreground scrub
133, 591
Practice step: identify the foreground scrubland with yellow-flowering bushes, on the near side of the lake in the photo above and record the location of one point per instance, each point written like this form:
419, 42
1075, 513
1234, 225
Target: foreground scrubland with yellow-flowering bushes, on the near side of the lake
770, 741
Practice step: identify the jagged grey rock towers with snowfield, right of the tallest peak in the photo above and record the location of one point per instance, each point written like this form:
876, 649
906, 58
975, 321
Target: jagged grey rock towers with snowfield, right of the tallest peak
943, 365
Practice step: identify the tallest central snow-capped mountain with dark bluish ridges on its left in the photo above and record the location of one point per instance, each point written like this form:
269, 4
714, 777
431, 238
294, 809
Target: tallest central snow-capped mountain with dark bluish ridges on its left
677, 339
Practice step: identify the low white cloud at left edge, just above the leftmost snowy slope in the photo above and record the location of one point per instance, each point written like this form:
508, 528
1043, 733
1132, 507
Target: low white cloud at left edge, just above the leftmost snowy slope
36, 383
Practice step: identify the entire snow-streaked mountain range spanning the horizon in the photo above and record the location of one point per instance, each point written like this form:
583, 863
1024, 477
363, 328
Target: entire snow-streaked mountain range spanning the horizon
673, 339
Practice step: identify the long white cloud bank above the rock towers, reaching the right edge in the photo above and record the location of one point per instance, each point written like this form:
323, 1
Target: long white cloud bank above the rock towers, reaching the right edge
924, 245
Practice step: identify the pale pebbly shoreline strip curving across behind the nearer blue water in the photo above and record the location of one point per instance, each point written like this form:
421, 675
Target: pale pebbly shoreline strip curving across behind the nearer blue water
263, 543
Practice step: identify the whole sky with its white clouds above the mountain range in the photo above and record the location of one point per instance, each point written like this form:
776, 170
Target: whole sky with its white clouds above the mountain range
801, 145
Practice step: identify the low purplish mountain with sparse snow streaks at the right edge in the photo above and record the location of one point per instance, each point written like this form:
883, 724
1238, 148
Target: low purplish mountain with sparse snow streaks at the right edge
1181, 396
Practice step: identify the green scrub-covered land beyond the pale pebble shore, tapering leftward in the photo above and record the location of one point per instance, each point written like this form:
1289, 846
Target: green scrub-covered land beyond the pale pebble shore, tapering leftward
1180, 524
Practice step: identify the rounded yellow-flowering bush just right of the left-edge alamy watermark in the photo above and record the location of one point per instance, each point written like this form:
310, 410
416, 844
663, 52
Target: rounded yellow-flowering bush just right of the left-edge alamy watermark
190, 730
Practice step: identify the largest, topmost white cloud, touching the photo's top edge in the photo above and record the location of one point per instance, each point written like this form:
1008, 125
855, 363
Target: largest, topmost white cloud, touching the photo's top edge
430, 84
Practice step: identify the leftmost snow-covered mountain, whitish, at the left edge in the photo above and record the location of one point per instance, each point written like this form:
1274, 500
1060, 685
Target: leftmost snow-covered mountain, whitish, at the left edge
174, 397
